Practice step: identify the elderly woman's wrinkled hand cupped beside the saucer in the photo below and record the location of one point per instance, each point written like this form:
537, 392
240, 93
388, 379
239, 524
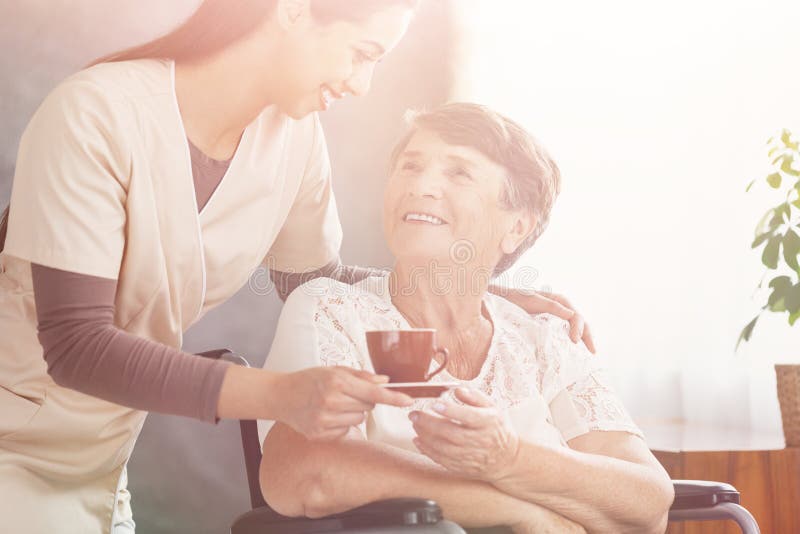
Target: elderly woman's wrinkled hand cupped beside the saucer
473, 439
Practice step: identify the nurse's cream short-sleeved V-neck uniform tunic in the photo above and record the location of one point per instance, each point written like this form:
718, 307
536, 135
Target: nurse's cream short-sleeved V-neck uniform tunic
103, 187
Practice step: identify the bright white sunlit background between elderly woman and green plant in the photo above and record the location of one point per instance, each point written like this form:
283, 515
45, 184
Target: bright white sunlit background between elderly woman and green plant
658, 115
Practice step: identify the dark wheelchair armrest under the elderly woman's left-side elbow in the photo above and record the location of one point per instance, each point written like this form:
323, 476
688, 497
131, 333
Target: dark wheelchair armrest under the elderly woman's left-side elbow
387, 513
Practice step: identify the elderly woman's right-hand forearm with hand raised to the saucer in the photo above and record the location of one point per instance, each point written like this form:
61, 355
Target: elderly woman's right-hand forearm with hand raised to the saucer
606, 480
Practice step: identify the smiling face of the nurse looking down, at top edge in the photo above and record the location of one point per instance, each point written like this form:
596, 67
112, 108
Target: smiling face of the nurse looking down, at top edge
324, 62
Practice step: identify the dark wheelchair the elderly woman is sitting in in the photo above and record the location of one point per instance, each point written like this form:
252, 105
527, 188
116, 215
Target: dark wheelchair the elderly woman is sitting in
695, 500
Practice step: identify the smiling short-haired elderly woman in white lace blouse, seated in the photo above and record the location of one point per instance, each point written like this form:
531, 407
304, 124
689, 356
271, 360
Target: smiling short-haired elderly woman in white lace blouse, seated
534, 438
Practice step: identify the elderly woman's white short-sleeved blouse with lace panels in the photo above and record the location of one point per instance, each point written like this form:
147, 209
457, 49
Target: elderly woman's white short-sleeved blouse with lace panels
552, 389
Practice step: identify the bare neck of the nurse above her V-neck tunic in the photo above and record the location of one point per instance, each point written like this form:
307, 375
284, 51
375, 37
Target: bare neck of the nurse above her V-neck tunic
219, 96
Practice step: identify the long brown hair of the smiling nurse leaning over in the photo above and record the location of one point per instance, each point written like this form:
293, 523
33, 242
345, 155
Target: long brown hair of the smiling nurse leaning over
218, 23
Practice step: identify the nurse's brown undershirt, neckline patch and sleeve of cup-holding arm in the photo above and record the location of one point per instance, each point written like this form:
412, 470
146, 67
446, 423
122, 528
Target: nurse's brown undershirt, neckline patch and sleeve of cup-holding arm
86, 352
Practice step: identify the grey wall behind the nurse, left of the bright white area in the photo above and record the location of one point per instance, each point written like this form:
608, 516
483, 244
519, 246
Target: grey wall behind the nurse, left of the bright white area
186, 476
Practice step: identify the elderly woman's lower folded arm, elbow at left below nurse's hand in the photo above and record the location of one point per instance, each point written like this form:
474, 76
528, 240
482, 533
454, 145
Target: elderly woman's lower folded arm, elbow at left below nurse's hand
300, 477
